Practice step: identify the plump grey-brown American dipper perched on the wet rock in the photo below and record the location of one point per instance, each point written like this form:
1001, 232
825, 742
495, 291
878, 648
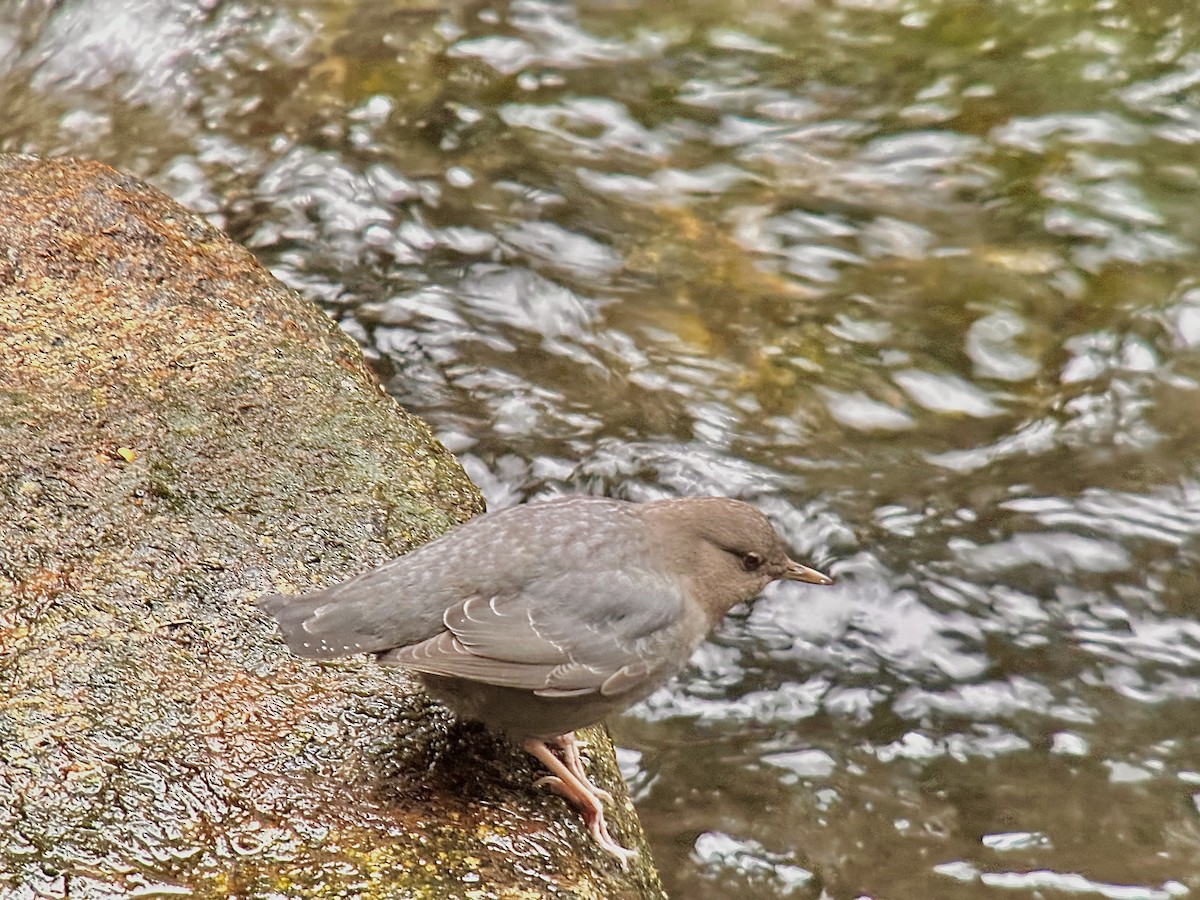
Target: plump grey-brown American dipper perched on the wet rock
542, 620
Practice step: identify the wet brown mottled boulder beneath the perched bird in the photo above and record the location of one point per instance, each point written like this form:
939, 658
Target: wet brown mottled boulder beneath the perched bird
179, 434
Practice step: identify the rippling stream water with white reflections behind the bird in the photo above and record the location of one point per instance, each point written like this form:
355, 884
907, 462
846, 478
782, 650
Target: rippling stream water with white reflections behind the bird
919, 279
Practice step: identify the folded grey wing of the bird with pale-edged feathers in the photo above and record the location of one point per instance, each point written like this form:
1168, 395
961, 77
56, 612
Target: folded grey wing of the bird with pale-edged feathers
561, 646
